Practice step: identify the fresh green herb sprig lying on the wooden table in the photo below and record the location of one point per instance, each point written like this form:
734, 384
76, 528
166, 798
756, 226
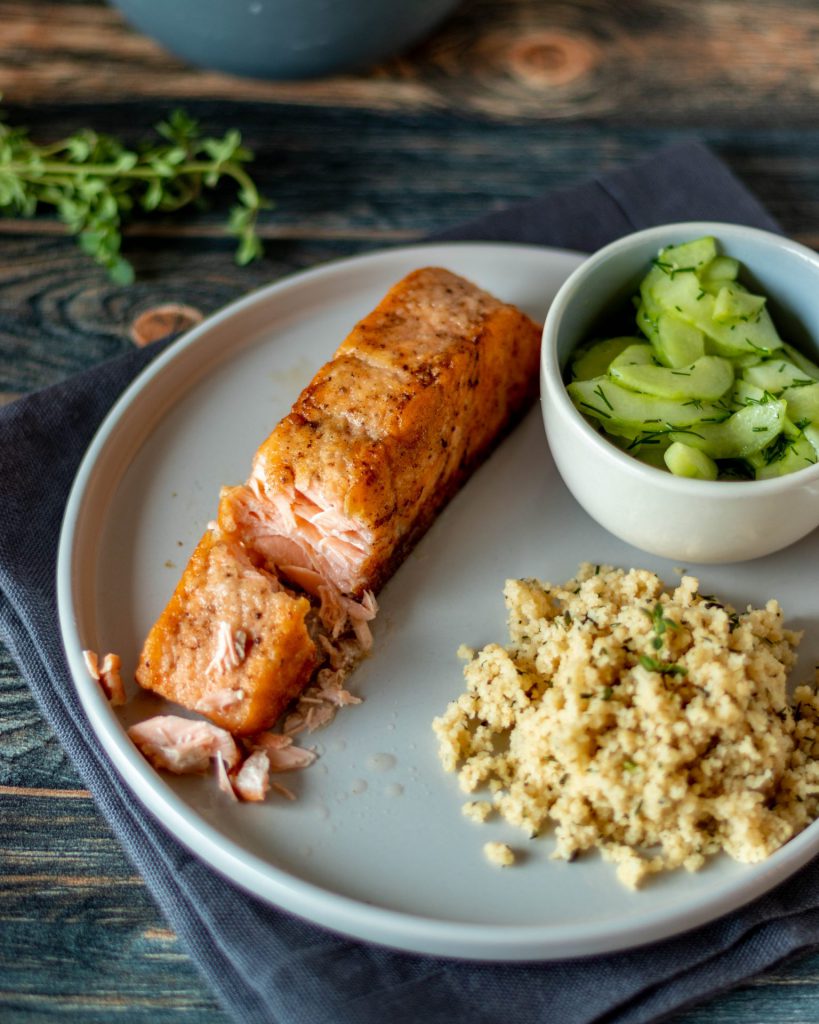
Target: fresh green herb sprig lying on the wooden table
97, 185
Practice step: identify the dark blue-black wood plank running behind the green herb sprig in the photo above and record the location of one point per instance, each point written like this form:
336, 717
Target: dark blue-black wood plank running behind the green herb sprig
339, 174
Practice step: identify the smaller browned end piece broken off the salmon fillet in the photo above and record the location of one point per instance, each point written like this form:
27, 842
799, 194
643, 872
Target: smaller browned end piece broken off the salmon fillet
232, 644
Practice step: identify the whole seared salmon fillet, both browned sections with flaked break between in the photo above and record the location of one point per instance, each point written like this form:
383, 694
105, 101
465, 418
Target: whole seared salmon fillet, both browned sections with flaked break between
385, 434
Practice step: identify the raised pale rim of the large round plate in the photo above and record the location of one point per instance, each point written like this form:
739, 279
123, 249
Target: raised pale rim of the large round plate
310, 901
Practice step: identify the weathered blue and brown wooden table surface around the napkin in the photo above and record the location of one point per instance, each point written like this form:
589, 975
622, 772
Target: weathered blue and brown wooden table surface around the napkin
509, 99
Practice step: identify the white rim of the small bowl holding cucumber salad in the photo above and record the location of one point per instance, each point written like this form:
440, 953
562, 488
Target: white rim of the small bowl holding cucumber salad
552, 376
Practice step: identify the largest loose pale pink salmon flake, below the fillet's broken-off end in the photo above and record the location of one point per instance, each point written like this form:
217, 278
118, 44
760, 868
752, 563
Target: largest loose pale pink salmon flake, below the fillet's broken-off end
184, 746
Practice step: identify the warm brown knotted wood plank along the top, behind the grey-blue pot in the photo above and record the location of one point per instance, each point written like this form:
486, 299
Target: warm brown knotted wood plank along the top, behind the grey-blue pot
512, 60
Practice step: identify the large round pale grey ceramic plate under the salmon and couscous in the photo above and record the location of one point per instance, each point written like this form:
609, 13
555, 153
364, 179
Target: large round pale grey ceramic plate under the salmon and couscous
376, 845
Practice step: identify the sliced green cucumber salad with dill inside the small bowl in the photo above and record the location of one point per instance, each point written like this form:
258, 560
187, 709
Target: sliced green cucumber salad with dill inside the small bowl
706, 389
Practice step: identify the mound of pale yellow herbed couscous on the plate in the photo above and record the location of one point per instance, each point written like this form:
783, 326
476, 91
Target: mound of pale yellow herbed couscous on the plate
653, 726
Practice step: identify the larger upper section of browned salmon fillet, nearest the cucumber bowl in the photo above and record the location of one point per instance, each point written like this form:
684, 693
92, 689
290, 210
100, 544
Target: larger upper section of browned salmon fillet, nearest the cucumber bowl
387, 432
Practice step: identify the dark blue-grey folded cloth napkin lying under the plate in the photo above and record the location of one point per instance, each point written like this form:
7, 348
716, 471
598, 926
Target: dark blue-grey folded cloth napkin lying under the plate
265, 965
